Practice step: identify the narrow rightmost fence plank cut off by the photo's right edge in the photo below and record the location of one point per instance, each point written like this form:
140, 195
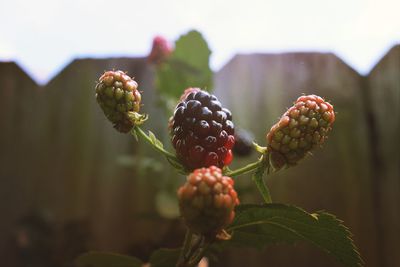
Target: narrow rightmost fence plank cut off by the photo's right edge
384, 103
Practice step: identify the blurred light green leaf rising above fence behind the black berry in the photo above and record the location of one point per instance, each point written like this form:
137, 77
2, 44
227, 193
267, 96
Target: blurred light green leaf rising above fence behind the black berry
187, 66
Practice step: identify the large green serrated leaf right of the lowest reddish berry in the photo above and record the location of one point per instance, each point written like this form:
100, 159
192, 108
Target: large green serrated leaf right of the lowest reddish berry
261, 225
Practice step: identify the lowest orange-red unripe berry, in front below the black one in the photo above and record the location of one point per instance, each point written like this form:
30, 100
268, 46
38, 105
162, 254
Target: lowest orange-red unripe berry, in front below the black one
207, 201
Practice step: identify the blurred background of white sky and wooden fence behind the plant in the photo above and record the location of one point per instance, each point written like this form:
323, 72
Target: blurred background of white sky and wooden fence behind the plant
70, 183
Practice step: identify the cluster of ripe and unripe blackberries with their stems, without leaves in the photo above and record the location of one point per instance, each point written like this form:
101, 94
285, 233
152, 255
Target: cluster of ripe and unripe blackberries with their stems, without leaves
203, 135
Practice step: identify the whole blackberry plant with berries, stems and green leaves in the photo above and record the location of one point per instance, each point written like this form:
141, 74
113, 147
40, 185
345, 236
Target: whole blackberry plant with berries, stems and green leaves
202, 134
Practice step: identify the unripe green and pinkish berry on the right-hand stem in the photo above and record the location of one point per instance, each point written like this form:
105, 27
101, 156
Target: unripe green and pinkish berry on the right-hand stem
302, 127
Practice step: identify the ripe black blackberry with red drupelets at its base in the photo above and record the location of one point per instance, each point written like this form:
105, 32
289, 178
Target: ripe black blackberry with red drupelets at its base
202, 131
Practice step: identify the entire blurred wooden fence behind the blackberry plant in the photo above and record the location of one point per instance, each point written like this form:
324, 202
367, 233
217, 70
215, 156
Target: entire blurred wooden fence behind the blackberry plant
58, 156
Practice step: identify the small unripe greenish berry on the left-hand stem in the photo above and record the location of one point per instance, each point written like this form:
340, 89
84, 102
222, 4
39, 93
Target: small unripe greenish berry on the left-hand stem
117, 95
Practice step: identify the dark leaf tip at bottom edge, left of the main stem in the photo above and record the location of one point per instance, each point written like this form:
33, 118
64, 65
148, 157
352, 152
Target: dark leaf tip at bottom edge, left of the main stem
105, 259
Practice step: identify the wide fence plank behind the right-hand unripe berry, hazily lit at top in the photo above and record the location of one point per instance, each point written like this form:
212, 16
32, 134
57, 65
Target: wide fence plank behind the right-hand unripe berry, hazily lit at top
258, 88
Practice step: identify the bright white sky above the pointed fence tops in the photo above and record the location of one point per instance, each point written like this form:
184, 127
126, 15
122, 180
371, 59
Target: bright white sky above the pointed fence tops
43, 36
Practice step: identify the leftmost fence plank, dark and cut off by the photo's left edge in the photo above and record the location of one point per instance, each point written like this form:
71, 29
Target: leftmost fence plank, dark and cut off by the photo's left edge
18, 100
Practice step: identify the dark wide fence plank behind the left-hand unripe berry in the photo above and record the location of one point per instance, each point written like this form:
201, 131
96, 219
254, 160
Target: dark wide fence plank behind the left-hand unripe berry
85, 171
